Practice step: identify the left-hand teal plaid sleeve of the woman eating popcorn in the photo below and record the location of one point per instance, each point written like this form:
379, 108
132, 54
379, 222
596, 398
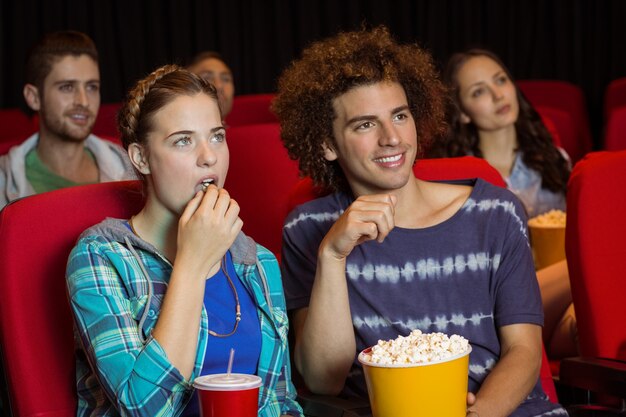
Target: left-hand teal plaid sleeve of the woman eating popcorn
132, 368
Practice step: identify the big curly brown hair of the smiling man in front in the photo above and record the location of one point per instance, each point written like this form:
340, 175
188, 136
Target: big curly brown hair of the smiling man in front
330, 68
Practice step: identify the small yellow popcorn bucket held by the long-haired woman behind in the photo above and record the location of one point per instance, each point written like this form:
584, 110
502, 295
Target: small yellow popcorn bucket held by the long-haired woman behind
548, 244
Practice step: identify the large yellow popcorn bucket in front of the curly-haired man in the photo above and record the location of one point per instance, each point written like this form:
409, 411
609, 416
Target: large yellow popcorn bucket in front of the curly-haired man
418, 390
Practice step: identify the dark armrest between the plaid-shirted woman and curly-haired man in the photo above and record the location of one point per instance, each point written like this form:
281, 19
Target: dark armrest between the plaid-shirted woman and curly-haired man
329, 406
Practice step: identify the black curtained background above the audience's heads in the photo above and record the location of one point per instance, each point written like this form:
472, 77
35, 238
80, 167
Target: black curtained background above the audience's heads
580, 41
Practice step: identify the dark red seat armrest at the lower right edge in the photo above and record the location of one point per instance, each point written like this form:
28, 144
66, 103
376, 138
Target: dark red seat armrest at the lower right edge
599, 375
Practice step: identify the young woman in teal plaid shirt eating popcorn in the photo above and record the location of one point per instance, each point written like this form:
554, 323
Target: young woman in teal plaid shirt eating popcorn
162, 297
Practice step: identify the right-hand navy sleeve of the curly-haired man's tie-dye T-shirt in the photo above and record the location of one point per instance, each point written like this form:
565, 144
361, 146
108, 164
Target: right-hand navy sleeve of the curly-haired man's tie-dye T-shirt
518, 299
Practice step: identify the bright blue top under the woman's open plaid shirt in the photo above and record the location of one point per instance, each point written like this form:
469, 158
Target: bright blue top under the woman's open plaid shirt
219, 302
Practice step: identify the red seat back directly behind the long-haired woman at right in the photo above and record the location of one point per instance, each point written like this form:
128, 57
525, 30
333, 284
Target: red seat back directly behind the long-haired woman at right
566, 97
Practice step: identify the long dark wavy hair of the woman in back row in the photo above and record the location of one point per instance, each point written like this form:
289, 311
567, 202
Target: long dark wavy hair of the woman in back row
535, 142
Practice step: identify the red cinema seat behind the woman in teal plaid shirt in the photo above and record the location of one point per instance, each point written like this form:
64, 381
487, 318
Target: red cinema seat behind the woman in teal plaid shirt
36, 337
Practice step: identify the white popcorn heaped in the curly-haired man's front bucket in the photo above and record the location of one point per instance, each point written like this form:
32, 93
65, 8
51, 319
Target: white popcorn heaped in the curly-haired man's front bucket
417, 347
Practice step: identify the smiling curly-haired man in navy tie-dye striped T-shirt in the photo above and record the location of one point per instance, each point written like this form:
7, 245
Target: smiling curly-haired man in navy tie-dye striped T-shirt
387, 252
